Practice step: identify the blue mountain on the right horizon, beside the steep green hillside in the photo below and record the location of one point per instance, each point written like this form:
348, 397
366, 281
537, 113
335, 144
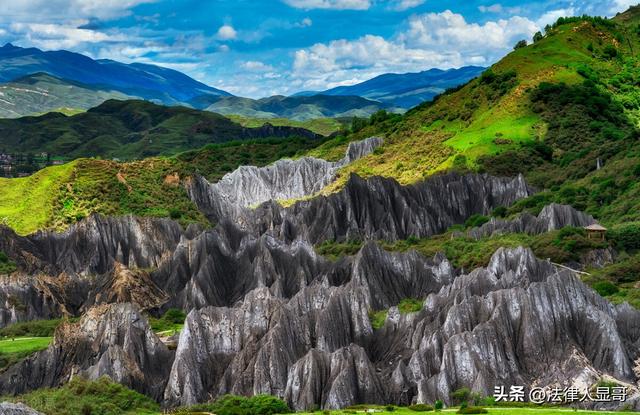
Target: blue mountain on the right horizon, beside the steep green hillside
405, 90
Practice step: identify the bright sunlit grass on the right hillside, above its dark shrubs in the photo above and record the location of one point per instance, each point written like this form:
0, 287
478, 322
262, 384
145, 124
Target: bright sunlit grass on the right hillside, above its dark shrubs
485, 118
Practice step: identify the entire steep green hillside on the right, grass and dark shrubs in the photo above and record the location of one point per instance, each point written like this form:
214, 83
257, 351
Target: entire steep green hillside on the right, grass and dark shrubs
549, 110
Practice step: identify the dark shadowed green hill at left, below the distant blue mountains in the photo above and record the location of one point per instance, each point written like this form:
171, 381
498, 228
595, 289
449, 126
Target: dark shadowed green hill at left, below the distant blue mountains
125, 130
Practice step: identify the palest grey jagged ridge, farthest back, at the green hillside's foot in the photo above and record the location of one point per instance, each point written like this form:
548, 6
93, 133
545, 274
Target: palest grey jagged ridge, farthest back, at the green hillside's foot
285, 179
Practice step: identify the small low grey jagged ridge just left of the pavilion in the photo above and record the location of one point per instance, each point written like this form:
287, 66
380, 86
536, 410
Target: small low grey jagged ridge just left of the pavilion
552, 217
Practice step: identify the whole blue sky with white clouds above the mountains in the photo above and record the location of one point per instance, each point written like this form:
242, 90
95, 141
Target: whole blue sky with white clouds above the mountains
261, 48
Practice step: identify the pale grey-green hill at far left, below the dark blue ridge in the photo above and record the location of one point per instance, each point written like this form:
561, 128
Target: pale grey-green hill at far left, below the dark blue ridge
41, 93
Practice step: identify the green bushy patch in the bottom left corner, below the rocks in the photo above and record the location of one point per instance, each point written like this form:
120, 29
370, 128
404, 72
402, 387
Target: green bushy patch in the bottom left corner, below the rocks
82, 397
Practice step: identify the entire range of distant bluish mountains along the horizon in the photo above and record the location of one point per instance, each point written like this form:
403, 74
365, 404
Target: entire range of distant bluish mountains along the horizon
33, 82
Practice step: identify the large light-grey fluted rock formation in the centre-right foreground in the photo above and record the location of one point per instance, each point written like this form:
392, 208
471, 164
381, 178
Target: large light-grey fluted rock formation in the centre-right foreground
520, 321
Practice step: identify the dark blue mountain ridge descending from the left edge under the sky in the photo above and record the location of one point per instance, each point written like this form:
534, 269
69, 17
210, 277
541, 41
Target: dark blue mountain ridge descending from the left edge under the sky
153, 83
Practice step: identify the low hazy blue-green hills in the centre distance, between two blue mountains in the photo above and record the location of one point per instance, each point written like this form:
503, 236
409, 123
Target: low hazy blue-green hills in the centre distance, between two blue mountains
298, 108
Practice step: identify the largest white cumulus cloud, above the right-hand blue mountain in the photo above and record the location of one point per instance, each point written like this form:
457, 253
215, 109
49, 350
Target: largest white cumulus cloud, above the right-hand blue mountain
429, 40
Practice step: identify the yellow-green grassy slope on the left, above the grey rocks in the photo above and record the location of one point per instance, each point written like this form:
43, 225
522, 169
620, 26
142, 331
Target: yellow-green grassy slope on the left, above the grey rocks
58, 196
